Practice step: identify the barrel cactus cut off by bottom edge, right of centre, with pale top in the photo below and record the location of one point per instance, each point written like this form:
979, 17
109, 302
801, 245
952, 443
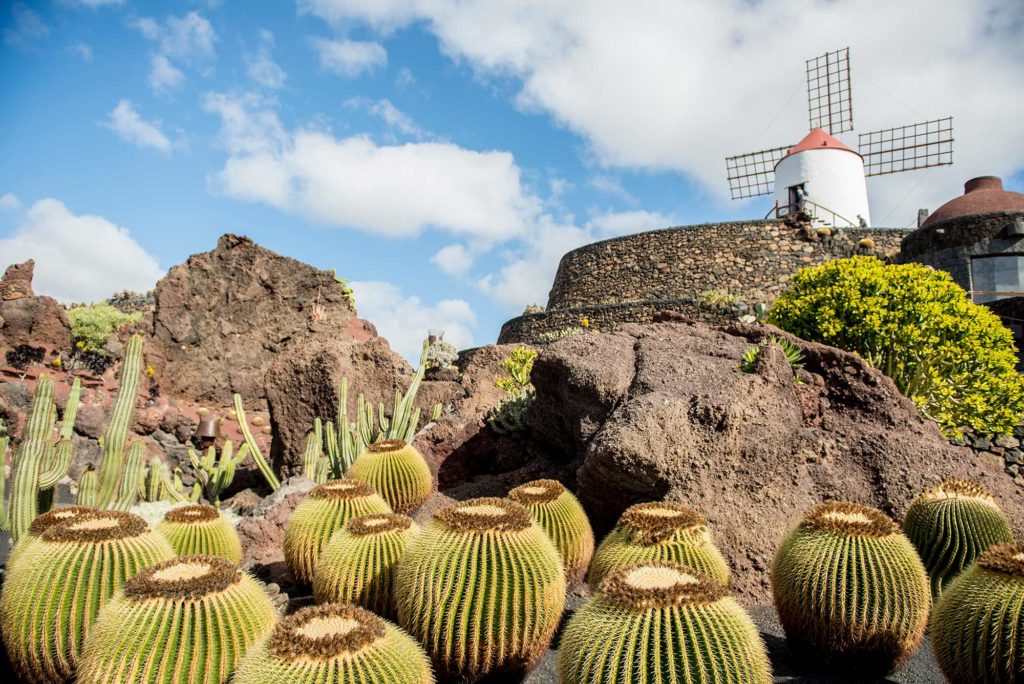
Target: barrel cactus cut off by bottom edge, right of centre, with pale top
662, 622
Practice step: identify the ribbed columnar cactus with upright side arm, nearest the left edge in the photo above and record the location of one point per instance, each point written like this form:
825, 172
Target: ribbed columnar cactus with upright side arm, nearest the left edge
40, 461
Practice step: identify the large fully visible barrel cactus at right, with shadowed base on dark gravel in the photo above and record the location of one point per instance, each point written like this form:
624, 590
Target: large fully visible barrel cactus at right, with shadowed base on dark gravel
850, 588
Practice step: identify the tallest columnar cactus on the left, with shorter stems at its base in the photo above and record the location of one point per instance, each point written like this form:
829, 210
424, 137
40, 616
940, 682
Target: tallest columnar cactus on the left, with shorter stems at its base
119, 474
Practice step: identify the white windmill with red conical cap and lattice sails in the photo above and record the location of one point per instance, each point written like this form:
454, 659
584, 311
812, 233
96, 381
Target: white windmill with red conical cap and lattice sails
821, 177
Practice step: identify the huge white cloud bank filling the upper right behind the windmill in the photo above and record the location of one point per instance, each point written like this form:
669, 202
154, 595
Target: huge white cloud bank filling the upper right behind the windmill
677, 87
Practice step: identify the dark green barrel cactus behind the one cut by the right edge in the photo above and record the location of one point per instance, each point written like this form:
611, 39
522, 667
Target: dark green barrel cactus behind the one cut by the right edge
952, 525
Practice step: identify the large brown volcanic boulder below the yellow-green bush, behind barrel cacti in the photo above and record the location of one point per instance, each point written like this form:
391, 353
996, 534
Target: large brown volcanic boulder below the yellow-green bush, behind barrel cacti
663, 412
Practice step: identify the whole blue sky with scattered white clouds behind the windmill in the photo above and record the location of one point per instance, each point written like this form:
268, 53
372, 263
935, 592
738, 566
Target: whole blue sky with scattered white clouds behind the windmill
444, 155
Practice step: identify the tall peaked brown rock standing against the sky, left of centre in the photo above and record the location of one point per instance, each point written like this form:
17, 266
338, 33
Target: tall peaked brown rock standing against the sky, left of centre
224, 317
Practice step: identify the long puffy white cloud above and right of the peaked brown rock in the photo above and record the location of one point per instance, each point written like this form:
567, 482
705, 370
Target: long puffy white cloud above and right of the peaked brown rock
355, 183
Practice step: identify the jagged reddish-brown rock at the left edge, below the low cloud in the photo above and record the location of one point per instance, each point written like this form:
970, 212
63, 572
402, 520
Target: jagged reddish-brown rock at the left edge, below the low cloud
28, 320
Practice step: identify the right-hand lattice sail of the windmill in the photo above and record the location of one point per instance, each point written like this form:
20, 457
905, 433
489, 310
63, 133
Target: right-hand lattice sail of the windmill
920, 146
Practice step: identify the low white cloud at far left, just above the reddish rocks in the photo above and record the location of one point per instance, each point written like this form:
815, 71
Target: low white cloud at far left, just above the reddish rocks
78, 258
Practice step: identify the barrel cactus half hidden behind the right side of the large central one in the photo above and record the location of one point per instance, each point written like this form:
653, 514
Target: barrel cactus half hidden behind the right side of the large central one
560, 515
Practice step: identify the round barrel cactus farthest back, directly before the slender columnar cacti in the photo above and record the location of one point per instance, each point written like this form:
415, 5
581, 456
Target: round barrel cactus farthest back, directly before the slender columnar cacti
397, 472
